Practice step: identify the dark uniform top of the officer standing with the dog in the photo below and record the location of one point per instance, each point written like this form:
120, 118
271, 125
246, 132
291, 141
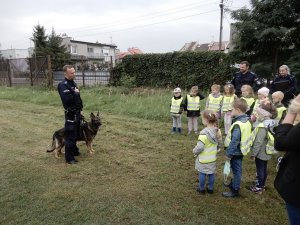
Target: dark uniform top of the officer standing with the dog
70, 99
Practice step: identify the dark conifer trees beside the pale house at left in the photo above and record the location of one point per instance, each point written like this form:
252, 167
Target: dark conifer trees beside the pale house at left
50, 44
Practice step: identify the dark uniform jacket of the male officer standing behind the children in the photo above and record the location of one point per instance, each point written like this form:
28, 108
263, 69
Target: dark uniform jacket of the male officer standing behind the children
240, 79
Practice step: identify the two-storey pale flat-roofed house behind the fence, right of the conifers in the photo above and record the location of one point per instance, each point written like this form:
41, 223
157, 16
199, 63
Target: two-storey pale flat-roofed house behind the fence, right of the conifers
92, 55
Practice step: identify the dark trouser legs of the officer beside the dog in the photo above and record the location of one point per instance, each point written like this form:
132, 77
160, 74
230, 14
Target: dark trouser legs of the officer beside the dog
71, 131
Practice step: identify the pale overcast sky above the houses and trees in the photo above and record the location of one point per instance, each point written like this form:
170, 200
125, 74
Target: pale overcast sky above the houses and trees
154, 26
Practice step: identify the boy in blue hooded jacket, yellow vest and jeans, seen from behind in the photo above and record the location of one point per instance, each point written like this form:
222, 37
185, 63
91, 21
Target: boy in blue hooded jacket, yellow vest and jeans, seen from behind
237, 144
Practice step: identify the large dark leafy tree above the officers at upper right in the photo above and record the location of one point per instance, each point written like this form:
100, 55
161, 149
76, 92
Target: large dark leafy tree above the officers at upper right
268, 35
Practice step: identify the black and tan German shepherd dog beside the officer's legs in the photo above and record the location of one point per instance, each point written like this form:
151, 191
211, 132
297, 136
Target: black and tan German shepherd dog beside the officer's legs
88, 131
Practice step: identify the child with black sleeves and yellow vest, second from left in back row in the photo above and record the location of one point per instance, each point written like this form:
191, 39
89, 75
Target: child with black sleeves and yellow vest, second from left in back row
192, 107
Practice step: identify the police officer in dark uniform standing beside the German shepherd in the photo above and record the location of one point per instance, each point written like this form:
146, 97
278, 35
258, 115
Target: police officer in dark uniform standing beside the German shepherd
70, 97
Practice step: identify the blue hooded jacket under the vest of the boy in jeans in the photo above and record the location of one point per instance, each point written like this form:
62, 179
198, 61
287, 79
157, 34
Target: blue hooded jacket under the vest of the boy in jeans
234, 148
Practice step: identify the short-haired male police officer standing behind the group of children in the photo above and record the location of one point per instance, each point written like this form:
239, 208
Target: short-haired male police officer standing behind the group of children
244, 76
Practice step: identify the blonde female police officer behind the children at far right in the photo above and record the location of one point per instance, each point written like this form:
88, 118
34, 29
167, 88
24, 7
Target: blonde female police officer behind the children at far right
286, 83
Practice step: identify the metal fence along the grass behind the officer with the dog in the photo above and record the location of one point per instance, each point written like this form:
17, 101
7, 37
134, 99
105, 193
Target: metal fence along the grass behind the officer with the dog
37, 71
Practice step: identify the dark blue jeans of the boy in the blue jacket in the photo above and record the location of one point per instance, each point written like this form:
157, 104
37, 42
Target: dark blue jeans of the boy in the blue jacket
236, 168
